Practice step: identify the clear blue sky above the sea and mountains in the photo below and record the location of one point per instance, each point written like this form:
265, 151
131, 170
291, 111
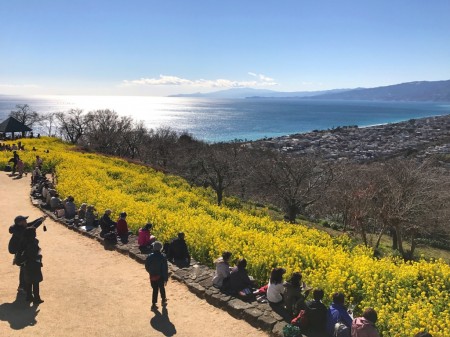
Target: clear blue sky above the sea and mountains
158, 48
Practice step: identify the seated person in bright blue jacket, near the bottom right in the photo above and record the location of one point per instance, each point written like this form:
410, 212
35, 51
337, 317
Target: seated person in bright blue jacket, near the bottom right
339, 321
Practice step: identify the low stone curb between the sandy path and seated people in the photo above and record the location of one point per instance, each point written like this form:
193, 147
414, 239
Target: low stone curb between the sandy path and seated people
197, 278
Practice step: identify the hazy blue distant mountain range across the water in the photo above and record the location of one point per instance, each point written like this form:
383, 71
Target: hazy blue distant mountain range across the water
435, 91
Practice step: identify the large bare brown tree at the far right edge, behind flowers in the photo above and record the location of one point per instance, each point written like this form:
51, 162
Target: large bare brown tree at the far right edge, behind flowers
411, 200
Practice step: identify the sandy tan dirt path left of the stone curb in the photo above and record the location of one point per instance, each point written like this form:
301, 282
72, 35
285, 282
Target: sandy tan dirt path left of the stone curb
92, 292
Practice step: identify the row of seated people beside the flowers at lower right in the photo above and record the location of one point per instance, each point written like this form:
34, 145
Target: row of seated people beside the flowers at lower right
310, 316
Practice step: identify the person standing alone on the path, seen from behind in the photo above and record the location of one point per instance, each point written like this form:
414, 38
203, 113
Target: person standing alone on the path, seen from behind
157, 268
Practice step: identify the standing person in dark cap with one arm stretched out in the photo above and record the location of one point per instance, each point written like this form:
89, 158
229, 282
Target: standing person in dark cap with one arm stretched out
16, 245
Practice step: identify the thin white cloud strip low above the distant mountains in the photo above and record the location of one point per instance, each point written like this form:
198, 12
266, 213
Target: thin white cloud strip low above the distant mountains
261, 81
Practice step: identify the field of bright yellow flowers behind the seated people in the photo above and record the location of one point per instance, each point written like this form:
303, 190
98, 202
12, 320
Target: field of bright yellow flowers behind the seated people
409, 297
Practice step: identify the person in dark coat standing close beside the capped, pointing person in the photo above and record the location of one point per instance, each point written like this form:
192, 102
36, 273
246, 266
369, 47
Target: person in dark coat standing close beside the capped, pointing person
33, 266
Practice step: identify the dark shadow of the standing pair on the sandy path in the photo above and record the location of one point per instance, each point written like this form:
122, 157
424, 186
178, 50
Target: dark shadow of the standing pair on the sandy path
19, 314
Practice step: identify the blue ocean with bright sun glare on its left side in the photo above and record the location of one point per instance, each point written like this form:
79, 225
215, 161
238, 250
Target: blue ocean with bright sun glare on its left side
216, 120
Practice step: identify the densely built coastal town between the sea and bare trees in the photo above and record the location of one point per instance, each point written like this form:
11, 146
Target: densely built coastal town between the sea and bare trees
417, 137
